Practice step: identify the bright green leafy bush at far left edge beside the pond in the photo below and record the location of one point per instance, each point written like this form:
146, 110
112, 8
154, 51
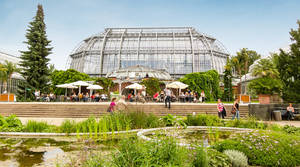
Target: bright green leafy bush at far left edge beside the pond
10, 124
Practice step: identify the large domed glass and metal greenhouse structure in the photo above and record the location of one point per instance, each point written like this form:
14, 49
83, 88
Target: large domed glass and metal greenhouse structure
178, 50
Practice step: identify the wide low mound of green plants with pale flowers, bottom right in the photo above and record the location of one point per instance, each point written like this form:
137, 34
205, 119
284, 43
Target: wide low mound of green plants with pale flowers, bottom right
265, 148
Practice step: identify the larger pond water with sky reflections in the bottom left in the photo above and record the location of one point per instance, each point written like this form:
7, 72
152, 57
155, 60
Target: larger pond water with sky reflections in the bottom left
27, 152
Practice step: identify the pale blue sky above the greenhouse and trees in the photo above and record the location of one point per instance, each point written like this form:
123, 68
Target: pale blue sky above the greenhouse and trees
260, 25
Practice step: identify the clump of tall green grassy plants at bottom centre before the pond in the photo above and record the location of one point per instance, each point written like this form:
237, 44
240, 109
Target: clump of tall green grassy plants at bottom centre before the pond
143, 153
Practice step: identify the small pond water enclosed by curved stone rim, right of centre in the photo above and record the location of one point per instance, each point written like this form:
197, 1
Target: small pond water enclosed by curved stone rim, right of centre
193, 136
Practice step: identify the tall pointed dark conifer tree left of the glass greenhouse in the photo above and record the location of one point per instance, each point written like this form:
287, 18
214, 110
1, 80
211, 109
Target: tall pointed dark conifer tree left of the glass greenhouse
34, 61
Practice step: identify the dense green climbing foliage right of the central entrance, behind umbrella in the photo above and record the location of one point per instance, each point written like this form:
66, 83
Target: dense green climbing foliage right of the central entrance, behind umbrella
207, 81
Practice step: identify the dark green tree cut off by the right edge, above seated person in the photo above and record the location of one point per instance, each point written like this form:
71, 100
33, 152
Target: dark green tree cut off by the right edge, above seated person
289, 68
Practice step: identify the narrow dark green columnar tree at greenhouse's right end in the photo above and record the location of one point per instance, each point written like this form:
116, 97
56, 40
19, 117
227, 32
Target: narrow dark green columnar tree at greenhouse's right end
228, 91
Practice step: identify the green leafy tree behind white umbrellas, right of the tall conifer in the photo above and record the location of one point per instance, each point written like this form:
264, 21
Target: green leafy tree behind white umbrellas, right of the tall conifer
61, 77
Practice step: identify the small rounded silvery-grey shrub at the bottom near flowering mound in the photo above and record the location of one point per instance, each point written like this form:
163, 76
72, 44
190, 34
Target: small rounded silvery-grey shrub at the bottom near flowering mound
237, 158
